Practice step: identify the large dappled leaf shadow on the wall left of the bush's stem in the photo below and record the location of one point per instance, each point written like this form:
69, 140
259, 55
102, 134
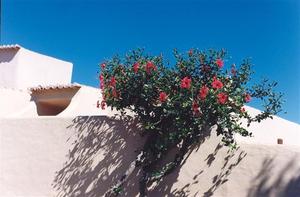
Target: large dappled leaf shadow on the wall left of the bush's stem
102, 148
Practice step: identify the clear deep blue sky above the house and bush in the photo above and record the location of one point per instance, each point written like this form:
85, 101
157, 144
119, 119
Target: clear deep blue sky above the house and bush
86, 32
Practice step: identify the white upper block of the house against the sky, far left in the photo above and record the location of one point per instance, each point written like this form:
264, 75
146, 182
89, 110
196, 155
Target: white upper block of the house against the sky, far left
21, 68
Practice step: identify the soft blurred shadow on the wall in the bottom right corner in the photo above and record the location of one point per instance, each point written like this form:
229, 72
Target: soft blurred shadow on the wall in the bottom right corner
266, 185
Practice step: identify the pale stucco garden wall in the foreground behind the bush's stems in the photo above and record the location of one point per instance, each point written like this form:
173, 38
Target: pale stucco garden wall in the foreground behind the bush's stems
84, 155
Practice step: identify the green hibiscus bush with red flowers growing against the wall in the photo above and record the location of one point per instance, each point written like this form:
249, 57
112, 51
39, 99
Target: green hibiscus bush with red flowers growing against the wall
177, 104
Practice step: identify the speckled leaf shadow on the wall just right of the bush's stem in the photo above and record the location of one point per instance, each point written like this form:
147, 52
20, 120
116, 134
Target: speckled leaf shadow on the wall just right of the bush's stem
219, 174
